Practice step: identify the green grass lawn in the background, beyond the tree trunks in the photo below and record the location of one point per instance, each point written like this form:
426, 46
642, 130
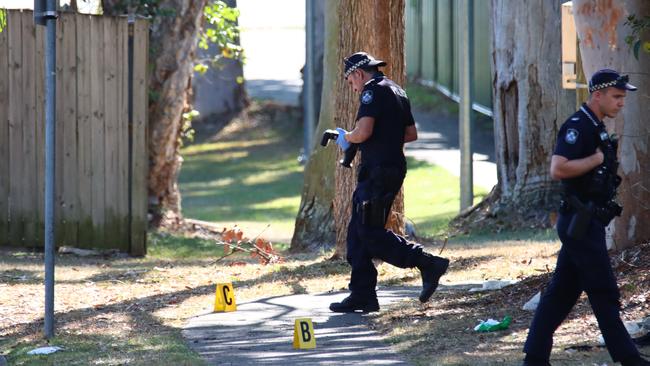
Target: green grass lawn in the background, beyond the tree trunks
248, 176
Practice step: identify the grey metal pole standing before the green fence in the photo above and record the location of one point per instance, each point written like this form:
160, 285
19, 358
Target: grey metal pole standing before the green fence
465, 108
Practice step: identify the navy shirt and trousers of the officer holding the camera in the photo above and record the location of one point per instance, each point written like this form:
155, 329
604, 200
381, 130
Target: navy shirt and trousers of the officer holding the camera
379, 178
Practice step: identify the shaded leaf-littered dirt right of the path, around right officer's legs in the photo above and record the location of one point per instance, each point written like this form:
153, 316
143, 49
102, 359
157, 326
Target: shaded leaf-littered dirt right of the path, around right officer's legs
441, 332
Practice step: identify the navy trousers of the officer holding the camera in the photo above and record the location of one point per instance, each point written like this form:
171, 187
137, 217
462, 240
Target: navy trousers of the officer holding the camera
365, 242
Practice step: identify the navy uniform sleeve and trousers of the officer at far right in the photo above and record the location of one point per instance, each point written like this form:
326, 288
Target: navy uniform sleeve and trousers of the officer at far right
583, 264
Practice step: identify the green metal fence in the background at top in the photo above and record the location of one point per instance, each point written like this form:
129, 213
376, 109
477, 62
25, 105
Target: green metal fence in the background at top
432, 48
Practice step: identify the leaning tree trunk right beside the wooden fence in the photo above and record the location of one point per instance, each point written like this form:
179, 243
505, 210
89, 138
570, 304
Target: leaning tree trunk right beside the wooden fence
173, 43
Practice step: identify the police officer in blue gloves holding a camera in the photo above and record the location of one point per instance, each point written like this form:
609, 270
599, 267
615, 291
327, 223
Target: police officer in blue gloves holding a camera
383, 124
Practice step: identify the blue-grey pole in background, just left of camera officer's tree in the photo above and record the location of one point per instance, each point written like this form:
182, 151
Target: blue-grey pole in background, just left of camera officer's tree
309, 80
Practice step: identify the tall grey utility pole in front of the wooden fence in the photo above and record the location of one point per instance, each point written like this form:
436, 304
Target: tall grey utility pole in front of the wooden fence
45, 14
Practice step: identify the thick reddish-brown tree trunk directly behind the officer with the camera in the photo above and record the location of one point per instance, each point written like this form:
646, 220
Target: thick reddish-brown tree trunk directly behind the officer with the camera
376, 27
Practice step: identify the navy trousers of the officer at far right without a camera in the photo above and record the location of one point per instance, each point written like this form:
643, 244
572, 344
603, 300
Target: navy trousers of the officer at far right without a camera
582, 265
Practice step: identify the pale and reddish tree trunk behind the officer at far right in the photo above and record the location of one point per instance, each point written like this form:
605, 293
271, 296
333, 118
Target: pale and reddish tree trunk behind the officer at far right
602, 33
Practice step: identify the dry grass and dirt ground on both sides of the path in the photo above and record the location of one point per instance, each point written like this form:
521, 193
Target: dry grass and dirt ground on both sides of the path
131, 310
